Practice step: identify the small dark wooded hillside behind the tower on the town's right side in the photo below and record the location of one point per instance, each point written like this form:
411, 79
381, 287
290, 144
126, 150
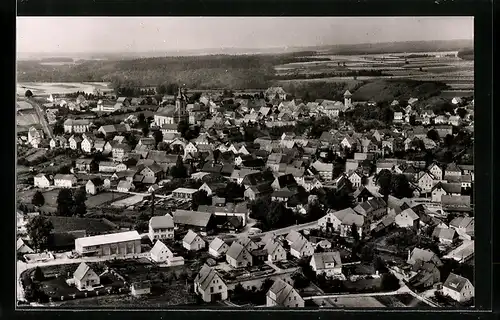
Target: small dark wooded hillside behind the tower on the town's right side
389, 90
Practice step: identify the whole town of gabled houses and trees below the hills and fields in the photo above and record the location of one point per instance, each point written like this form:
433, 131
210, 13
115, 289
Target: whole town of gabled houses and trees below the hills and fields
169, 196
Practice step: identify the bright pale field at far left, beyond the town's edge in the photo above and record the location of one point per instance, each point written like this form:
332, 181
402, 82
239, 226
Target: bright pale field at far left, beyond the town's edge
47, 88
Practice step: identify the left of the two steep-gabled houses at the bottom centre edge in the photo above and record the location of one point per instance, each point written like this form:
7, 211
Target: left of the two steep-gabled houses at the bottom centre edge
209, 285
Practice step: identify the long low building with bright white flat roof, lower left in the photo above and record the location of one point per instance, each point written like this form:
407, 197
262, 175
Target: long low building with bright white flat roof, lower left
109, 244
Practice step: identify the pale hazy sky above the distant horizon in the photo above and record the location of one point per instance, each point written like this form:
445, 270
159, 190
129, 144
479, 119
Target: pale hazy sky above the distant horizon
142, 34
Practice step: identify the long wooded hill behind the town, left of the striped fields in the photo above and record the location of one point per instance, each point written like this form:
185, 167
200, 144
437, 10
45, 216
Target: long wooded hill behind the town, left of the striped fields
201, 72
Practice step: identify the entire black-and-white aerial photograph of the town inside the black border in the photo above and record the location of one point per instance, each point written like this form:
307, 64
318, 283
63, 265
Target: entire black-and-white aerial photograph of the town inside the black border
245, 162
